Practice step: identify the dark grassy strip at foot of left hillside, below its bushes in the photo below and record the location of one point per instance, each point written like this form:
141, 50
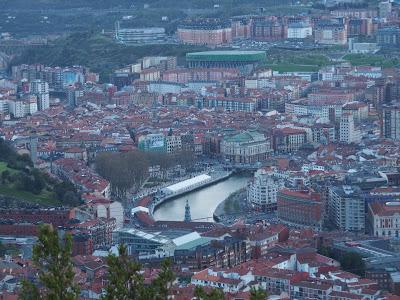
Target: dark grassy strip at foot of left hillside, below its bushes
45, 197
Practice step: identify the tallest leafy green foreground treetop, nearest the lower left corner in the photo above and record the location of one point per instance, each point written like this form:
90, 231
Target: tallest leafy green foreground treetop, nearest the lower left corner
52, 258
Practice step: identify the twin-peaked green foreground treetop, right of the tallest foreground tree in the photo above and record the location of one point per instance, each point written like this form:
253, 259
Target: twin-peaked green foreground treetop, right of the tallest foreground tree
126, 282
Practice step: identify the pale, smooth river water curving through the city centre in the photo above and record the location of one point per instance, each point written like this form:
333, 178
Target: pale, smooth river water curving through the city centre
202, 202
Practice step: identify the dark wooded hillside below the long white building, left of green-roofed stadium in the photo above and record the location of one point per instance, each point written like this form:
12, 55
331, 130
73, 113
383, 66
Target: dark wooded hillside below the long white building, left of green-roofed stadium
99, 53
